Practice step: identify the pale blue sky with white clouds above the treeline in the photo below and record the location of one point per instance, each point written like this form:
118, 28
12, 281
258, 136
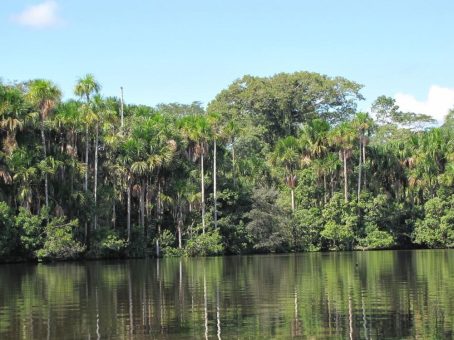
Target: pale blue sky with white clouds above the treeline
165, 51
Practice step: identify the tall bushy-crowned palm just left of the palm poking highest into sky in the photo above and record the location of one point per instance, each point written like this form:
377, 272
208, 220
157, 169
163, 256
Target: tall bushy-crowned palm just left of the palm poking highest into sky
44, 95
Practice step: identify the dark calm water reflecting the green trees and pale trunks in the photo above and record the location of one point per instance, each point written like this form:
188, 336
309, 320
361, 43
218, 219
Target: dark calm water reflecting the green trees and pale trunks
370, 295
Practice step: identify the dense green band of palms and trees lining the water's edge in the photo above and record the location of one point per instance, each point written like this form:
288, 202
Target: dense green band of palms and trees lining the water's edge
273, 164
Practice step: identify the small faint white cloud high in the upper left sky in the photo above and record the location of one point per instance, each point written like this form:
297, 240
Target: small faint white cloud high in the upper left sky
41, 15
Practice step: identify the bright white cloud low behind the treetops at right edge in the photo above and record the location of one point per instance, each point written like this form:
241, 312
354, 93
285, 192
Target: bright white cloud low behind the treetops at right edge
439, 101
